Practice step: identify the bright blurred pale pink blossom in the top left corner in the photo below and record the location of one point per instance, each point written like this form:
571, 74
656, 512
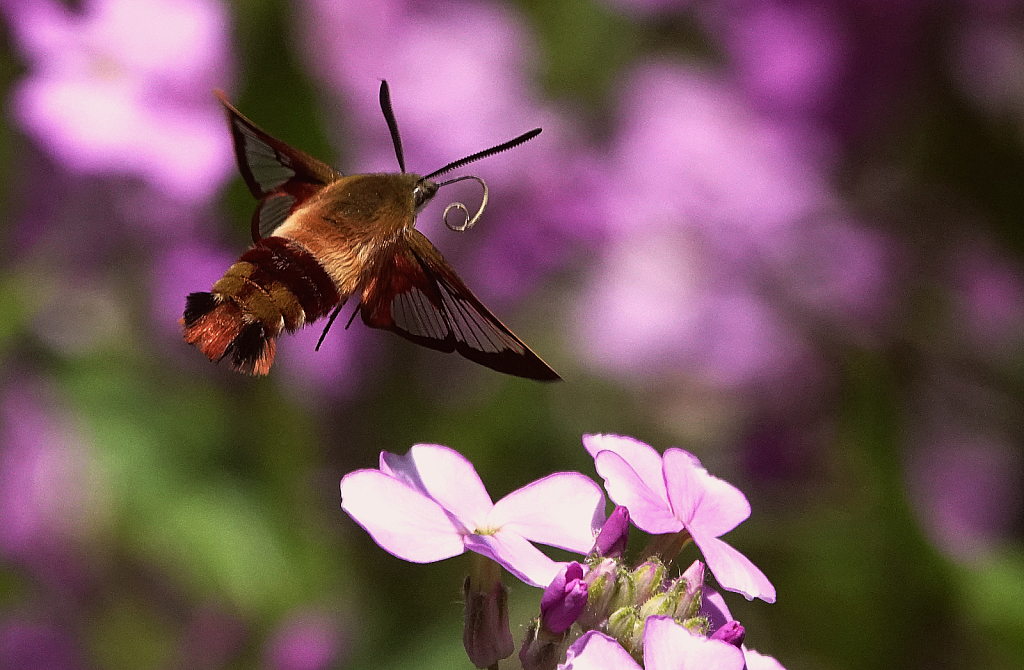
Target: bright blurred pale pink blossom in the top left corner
124, 88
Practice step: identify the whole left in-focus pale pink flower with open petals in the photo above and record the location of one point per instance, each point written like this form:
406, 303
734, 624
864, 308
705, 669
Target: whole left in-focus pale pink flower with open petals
431, 505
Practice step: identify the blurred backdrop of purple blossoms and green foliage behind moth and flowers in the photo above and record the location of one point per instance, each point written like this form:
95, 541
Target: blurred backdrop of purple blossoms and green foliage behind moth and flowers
786, 235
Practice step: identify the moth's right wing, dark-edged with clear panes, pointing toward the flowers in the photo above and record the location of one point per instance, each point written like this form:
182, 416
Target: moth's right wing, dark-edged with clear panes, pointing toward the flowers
415, 294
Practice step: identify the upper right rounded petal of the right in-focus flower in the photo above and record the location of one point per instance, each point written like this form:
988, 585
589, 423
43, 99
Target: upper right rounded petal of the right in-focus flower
703, 502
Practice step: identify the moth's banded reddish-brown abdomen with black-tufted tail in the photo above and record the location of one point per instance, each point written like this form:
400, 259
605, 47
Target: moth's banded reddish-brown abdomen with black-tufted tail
276, 285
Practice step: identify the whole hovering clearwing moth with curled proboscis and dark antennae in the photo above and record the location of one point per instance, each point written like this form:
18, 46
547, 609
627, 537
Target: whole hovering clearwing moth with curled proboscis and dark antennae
320, 237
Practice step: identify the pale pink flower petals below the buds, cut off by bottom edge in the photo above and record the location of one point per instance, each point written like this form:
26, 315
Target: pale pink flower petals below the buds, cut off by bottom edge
667, 646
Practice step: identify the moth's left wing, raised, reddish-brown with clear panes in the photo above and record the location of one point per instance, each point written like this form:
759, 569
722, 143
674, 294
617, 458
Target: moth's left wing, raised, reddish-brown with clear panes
280, 177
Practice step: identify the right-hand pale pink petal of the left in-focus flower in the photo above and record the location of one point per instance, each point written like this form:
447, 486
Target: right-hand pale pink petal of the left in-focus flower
564, 510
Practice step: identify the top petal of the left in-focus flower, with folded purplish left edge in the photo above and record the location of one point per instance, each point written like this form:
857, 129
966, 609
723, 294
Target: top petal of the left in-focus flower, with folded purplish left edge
446, 476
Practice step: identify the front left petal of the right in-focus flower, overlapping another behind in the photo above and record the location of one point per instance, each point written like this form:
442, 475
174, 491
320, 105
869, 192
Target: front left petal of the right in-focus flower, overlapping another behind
649, 506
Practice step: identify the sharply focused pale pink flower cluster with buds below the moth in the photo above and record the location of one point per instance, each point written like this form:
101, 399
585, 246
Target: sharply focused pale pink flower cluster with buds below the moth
431, 505
